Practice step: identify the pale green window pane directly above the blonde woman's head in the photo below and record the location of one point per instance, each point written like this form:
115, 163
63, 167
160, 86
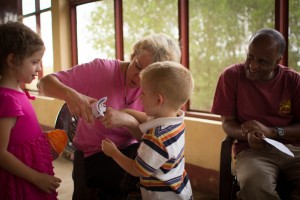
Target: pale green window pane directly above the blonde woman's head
142, 18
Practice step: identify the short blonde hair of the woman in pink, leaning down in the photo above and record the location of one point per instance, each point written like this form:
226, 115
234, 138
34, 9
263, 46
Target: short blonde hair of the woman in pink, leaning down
162, 47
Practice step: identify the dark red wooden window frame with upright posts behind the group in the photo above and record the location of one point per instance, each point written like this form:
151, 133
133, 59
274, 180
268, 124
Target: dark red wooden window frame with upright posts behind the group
281, 24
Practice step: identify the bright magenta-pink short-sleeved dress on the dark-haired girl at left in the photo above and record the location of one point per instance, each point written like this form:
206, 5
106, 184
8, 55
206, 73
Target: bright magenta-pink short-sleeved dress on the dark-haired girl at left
28, 143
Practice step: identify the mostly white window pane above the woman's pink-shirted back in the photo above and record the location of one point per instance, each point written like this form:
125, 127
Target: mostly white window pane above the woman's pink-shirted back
95, 31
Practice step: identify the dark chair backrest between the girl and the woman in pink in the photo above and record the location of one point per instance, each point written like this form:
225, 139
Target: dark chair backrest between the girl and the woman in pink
68, 123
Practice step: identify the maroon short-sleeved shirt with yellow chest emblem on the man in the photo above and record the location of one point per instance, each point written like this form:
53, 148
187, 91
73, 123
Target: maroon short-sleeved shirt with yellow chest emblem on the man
275, 103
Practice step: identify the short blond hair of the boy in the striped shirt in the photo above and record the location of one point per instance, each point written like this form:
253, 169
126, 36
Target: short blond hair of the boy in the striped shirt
171, 79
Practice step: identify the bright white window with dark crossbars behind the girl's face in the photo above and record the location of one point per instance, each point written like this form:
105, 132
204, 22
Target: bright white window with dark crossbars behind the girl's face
37, 15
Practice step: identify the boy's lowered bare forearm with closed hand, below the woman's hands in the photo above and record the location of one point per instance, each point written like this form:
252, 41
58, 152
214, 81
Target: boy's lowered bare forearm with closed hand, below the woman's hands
110, 149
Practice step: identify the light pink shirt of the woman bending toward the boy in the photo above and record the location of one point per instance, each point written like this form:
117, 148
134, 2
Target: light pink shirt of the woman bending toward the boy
97, 79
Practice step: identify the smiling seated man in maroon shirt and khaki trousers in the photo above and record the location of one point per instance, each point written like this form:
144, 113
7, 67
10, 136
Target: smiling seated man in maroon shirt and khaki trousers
260, 99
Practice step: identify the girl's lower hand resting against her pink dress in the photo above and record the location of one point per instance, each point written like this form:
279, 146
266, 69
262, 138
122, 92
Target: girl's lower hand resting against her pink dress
47, 183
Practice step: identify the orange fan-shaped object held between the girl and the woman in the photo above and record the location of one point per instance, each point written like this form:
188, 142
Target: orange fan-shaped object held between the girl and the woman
57, 140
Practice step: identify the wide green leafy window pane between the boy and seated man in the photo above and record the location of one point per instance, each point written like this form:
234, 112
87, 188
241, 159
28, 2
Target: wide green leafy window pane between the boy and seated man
218, 37
